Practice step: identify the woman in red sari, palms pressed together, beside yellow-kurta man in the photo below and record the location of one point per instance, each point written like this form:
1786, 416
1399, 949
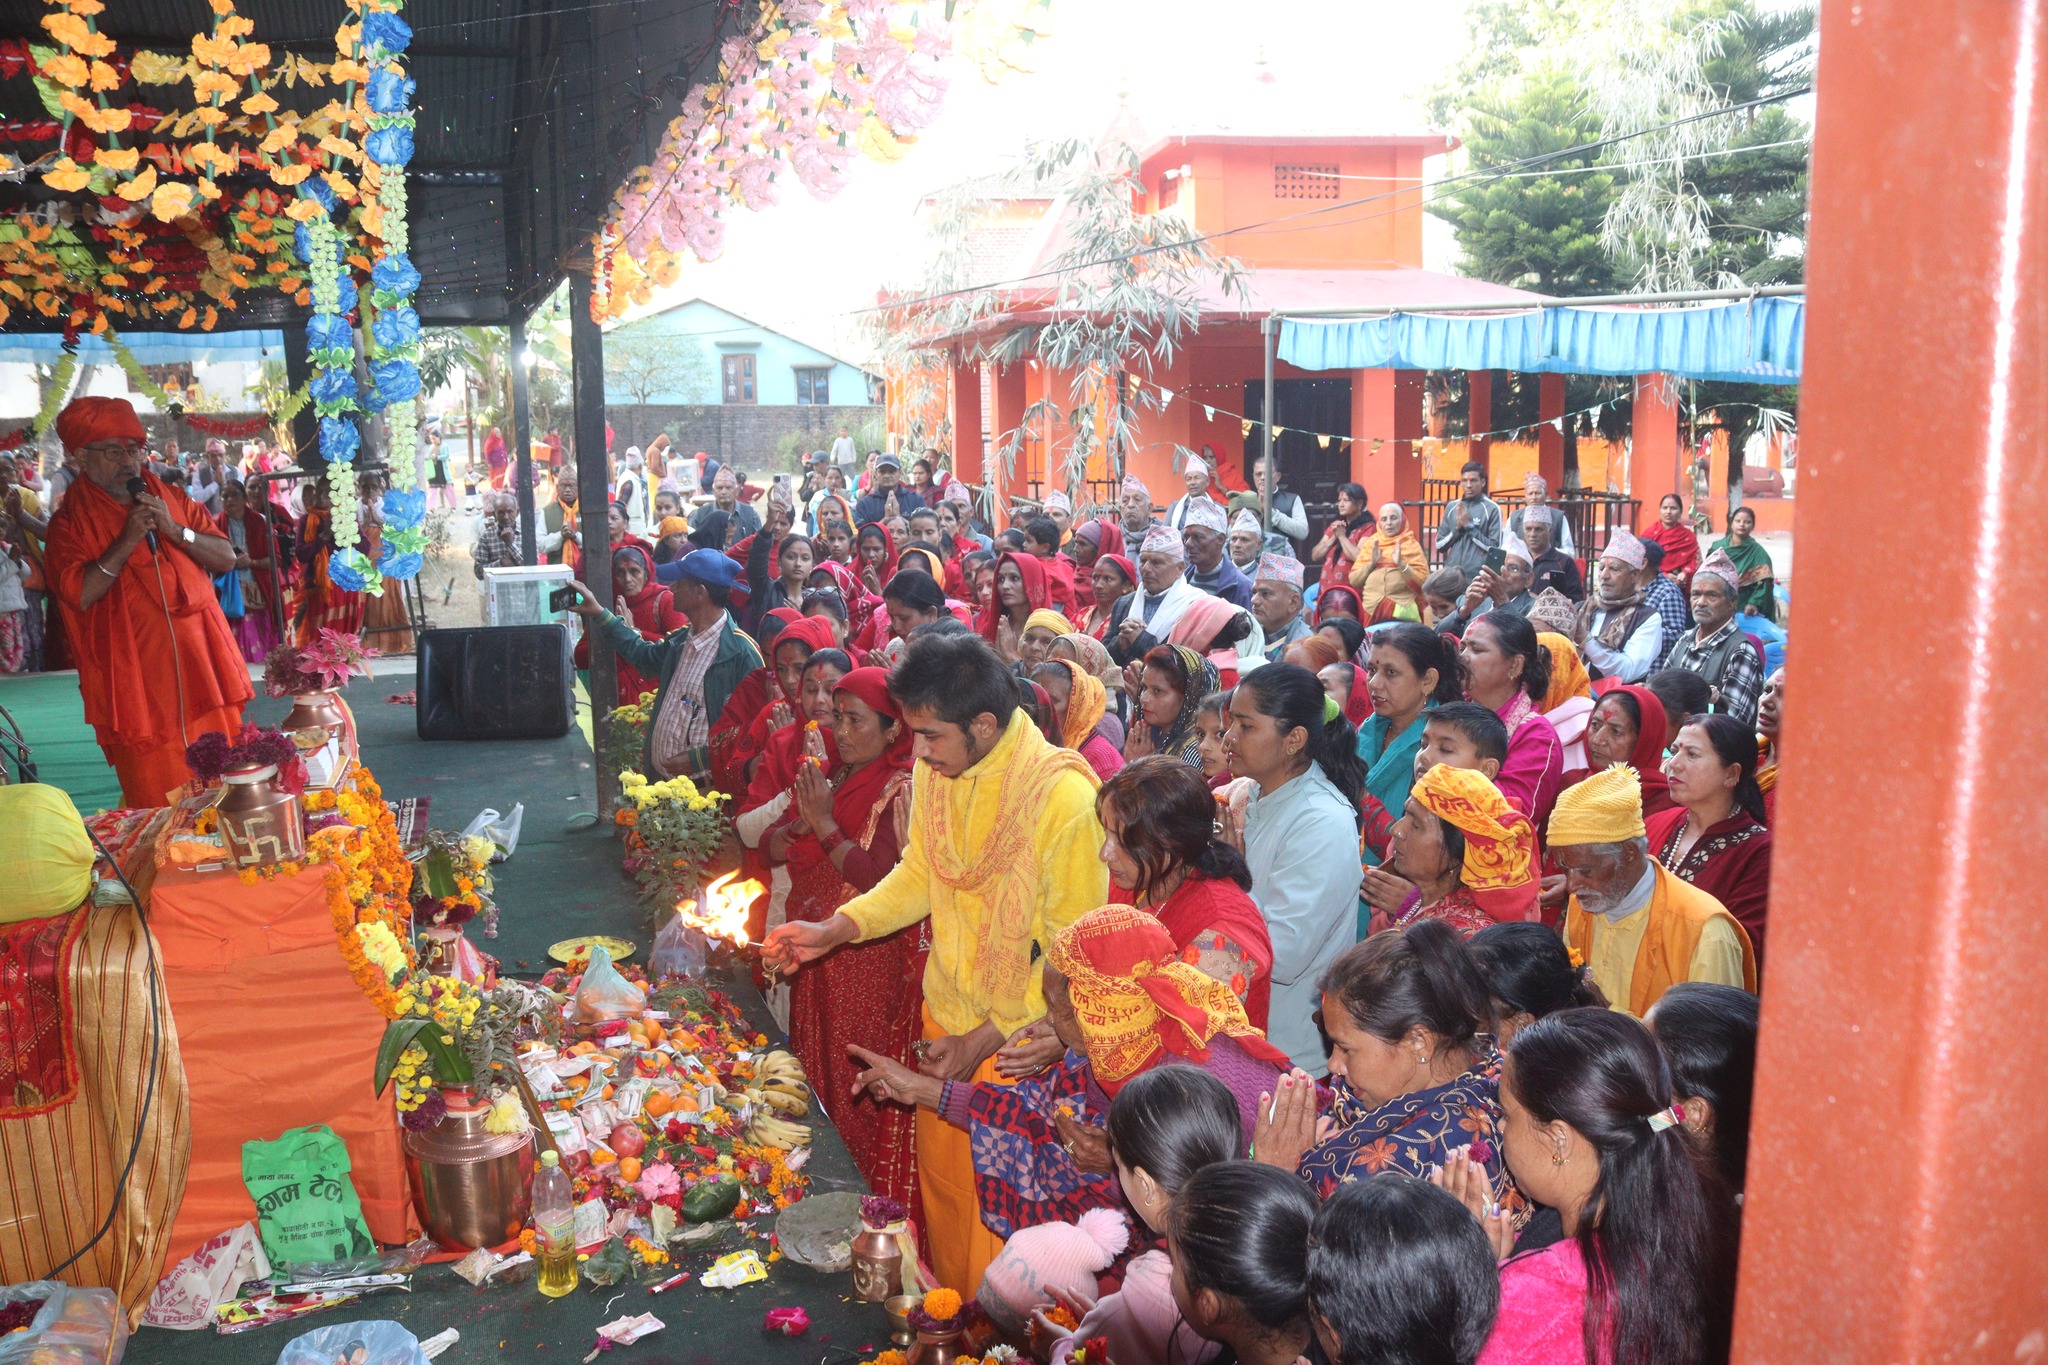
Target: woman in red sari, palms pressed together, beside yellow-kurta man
839, 840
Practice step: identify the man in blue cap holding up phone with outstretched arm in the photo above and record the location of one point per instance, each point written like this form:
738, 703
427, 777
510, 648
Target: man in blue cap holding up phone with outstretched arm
699, 668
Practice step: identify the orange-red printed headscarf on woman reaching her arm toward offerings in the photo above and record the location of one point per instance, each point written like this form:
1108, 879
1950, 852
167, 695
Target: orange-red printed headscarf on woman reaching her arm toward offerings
1136, 998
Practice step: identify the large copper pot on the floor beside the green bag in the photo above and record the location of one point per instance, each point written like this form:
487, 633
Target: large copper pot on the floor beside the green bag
472, 1186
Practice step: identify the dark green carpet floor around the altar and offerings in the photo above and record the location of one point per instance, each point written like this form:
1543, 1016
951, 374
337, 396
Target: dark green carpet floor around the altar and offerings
560, 883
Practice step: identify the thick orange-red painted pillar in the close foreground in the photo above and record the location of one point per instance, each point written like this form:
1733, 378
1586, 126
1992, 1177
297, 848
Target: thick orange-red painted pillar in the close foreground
1897, 1204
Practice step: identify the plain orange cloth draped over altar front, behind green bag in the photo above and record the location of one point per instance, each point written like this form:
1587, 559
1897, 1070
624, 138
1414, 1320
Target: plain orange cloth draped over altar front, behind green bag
275, 1037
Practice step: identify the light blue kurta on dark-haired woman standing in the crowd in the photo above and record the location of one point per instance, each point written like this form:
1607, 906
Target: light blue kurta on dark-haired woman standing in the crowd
1302, 844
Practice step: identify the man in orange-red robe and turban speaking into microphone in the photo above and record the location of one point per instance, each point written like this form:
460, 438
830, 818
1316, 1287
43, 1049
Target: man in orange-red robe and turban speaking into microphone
157, 660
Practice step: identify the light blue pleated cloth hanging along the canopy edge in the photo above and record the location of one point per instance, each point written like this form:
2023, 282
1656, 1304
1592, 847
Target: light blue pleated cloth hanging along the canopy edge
1750, 341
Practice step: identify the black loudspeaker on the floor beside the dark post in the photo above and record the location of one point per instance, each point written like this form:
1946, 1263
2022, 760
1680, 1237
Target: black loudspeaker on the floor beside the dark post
497, 682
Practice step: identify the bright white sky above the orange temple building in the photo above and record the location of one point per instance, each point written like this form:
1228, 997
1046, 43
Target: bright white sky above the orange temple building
1349, 67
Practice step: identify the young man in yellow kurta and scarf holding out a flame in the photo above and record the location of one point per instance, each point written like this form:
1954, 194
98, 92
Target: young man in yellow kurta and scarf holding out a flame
1002, 852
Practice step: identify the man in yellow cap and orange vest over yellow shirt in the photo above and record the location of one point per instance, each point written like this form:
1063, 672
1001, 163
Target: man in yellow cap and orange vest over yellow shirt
1635, 926
